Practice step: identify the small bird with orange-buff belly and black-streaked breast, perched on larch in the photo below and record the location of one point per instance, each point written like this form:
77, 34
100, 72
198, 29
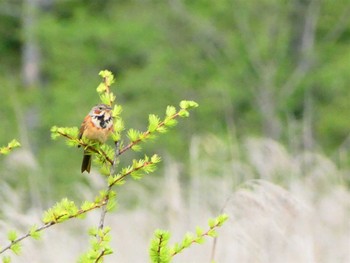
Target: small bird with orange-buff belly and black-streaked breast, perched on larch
97, 126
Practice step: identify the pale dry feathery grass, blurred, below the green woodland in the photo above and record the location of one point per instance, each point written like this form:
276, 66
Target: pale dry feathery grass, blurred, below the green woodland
282, 208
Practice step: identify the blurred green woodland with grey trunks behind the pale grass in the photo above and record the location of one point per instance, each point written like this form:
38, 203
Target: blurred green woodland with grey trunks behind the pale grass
272, 68
